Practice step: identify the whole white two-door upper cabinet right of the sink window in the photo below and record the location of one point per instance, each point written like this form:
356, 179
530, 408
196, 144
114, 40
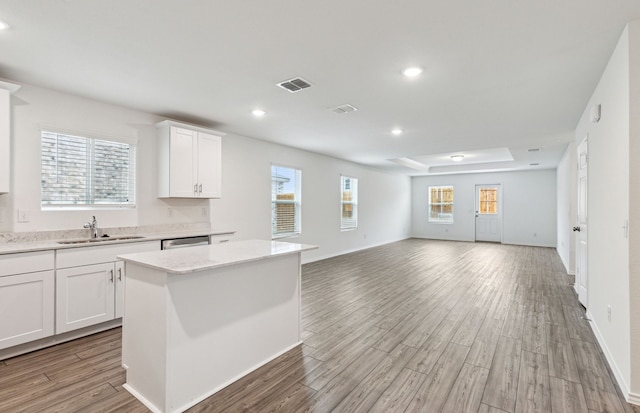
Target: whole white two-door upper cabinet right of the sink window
189, 161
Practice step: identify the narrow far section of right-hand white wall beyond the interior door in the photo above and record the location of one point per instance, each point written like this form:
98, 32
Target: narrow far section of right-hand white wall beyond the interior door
566, 195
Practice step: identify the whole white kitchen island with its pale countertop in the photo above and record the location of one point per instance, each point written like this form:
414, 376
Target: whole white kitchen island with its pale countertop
197, 319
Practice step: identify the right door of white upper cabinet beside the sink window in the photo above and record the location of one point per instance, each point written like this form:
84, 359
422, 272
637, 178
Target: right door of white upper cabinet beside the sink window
209, 165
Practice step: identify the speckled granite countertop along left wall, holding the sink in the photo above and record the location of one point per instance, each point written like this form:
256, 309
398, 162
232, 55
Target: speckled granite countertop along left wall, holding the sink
35, 244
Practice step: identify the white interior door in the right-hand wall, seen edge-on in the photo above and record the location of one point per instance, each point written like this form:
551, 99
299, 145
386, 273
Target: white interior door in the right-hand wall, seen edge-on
581, 226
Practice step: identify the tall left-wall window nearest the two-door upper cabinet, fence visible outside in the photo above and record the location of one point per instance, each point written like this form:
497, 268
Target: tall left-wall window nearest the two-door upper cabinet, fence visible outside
285, 201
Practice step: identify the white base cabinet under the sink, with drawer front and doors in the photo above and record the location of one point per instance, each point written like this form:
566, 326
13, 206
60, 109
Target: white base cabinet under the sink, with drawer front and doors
90, 284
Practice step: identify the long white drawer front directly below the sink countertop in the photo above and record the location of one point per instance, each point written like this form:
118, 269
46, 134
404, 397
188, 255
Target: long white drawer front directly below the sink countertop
76, 257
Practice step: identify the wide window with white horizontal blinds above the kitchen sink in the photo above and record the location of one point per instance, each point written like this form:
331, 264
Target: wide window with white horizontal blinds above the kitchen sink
79, 171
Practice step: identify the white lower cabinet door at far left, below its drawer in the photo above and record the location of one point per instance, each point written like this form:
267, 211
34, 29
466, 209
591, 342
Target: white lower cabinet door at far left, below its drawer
26, 307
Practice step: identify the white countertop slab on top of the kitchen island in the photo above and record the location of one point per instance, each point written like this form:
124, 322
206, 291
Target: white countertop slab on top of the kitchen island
200, 258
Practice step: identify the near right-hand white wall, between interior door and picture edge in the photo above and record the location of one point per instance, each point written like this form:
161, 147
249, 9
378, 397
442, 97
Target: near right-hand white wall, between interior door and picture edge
608, 208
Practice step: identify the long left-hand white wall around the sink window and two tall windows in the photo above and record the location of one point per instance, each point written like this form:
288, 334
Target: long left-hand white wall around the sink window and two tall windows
384, 199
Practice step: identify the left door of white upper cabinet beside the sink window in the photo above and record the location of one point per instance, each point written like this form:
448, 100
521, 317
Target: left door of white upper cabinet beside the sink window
183, 172
